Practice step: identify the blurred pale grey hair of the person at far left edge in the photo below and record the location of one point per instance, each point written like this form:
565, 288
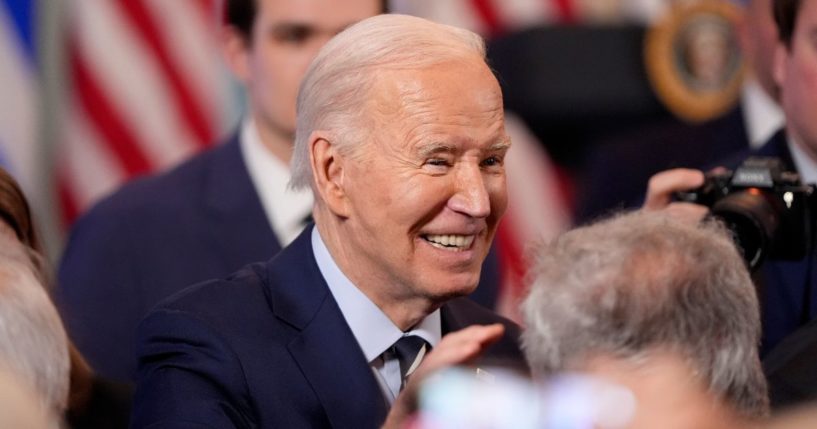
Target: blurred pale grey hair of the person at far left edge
33, 342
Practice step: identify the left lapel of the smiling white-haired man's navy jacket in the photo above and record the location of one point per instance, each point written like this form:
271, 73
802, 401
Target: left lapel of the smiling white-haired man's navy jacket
324, 348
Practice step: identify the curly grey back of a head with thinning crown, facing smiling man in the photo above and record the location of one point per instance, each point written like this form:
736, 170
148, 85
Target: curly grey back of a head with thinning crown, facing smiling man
639, 282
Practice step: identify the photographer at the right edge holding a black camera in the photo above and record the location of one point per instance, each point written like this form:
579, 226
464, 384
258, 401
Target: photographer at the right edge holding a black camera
786, 288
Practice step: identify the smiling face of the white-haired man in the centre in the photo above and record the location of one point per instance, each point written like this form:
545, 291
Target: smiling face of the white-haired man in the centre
426, 193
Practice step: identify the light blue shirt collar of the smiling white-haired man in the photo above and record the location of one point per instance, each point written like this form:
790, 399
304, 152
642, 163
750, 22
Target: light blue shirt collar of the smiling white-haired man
373, 330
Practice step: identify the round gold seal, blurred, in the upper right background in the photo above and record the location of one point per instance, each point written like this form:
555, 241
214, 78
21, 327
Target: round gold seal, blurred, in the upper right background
694, 61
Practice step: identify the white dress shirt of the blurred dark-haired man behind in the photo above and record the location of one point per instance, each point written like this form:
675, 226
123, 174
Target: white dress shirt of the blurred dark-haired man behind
285, 209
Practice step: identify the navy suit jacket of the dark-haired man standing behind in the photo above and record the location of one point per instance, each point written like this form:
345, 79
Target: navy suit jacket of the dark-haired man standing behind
158, 235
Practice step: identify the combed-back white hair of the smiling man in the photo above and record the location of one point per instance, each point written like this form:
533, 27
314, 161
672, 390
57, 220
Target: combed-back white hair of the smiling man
333, 93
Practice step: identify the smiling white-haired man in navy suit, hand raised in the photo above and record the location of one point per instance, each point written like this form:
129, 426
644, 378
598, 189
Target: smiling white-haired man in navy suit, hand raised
401, 138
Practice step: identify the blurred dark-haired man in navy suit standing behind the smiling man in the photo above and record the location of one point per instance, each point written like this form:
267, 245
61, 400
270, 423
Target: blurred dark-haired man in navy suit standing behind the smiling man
218, 211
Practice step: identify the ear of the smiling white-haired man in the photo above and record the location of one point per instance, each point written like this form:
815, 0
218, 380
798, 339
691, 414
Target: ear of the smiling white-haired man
327, 173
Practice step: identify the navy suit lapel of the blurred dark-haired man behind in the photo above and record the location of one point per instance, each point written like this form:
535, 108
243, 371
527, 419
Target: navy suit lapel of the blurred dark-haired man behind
240, 226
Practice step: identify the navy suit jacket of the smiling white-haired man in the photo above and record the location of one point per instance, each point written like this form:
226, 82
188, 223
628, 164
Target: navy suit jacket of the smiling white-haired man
268, 347
